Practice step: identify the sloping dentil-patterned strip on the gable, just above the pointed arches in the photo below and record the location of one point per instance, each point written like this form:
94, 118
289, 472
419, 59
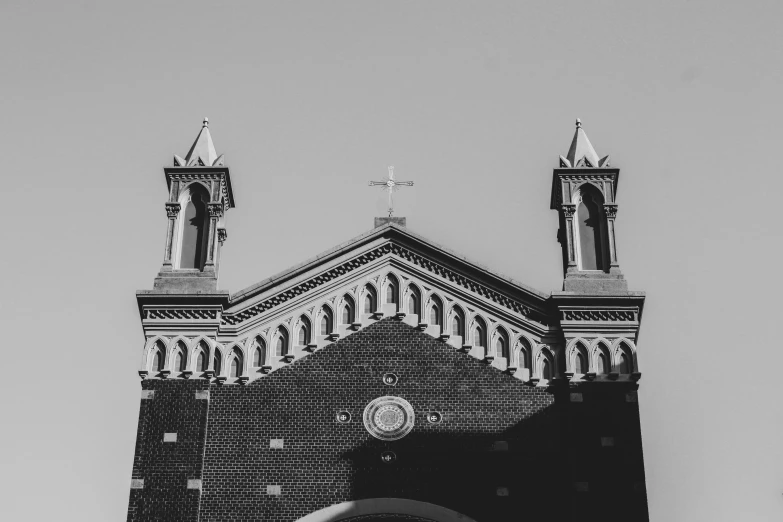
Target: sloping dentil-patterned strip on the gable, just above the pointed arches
349, 266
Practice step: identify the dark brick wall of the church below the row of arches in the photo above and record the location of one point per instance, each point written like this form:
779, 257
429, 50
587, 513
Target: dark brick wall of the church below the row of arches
503, 451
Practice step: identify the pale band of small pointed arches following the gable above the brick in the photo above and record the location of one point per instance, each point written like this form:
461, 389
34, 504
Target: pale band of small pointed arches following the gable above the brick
528, 351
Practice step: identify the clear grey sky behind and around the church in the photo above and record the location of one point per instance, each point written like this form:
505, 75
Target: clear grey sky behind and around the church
474, 101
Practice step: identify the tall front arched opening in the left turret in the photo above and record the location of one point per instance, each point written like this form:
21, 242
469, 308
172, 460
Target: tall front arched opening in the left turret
193, 228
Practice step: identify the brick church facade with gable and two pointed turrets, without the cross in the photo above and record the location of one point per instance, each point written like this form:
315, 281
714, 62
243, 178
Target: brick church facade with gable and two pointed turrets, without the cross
389, 378
